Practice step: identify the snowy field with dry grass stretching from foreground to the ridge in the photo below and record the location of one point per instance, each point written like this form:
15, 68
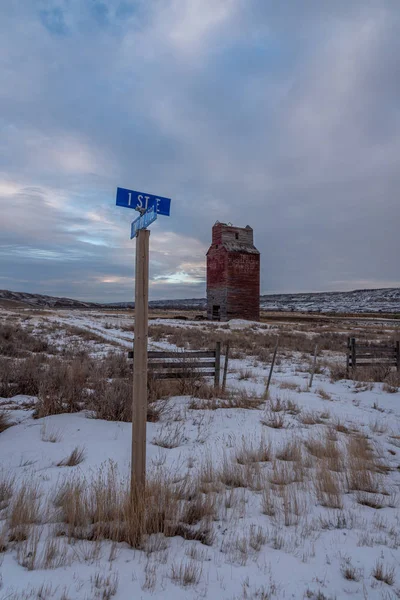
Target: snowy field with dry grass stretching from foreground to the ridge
243, 486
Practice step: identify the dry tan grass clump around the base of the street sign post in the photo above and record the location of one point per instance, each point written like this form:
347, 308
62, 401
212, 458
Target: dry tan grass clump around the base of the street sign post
102, 509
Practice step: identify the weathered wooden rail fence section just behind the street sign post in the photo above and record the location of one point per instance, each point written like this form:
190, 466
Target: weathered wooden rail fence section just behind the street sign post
185, 365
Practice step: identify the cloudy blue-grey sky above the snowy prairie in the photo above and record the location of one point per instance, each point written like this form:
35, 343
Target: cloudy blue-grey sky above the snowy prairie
282, 115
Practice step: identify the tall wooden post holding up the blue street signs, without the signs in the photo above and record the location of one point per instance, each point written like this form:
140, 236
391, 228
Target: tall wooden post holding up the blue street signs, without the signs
139, 408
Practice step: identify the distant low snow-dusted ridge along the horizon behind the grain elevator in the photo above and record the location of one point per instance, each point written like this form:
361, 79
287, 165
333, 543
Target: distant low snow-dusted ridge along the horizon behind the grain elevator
385, 300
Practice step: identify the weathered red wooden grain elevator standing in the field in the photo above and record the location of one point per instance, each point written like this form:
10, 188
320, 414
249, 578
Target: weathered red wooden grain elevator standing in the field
233, 274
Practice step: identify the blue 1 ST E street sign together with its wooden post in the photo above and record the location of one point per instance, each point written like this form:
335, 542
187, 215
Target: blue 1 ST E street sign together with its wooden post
150, 207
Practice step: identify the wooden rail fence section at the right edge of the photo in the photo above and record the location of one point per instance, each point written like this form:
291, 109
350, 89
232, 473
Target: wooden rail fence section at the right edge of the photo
371, 355
